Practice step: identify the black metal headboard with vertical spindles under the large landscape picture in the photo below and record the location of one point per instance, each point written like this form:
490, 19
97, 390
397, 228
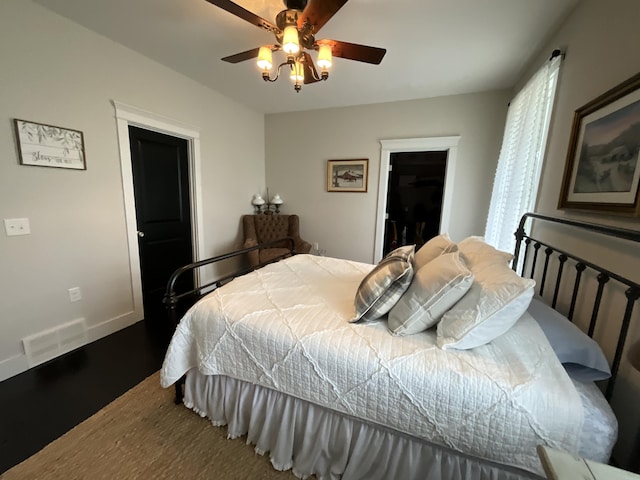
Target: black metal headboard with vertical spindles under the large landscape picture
604, 276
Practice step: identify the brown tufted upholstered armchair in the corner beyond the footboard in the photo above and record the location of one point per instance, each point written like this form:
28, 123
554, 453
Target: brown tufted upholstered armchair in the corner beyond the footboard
265, 228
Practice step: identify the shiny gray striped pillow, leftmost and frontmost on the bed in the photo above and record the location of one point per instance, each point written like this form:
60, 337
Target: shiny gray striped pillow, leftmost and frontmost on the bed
381, 289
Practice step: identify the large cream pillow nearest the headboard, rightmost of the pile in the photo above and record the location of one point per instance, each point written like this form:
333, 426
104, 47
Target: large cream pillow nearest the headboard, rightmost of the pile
493, 304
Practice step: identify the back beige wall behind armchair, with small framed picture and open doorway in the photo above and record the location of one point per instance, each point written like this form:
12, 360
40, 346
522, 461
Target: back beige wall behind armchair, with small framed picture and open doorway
298, 146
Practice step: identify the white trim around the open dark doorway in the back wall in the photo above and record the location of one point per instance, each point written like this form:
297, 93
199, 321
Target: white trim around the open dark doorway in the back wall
426, 144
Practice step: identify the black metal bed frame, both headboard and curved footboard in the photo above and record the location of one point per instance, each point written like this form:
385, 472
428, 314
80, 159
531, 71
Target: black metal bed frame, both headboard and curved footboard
531, 246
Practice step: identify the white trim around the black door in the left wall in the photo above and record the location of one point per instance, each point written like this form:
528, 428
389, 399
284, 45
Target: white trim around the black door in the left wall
127, 115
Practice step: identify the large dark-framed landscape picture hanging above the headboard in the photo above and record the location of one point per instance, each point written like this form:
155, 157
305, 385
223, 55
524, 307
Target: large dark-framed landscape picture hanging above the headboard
603, 159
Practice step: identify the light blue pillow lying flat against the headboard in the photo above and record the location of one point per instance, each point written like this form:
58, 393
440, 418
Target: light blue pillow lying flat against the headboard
580, 355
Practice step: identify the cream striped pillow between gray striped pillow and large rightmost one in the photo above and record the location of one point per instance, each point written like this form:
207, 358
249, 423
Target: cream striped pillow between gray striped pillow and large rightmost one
435, 288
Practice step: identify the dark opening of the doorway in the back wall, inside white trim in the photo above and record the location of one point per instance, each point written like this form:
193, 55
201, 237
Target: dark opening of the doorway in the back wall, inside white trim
414, 198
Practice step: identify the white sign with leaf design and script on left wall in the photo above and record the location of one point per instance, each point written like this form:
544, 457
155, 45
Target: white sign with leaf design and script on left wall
49, 146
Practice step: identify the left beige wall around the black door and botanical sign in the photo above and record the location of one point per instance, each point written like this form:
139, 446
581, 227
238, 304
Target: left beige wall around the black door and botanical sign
56, 72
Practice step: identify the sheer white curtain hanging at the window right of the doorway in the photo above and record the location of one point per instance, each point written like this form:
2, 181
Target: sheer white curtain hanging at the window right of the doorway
518, 174
